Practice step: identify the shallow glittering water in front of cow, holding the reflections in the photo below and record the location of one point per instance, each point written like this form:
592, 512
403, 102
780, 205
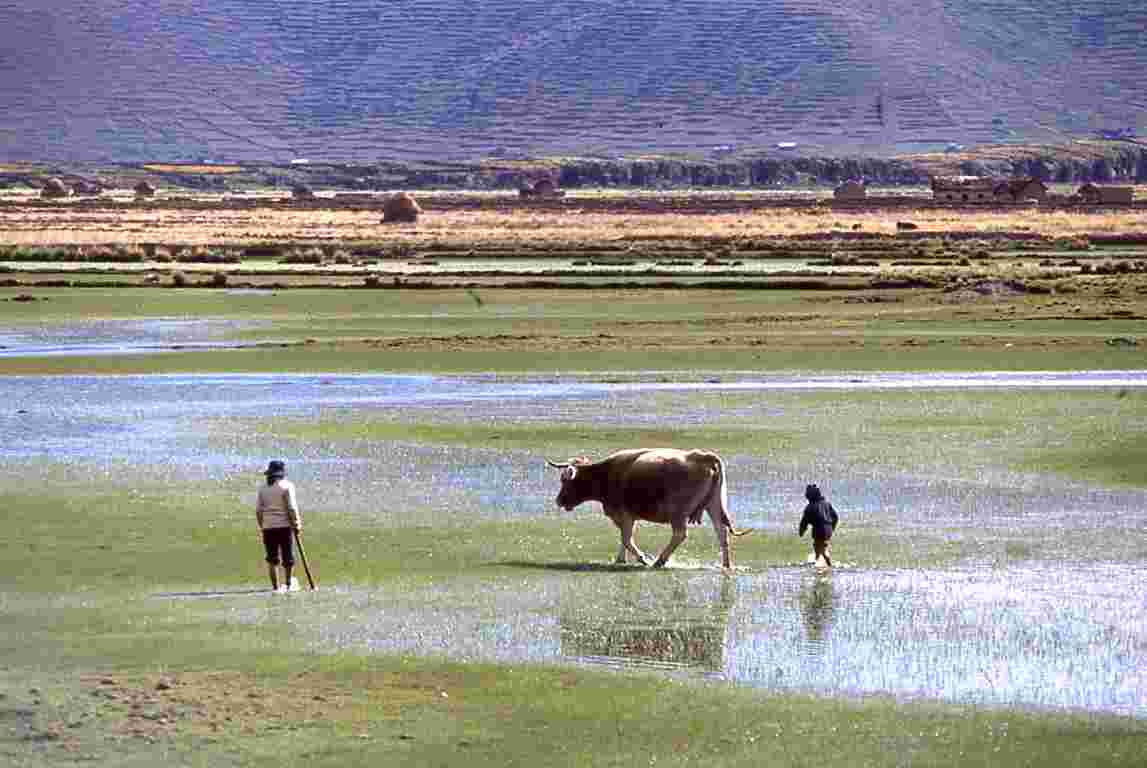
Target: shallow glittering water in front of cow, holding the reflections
997, 638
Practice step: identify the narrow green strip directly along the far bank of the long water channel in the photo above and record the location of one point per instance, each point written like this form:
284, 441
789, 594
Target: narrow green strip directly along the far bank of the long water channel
560, 359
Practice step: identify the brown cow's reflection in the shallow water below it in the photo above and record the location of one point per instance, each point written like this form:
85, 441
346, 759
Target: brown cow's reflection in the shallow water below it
684, 624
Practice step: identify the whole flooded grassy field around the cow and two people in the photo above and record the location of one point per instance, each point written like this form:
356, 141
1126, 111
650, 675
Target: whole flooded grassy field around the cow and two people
972, 568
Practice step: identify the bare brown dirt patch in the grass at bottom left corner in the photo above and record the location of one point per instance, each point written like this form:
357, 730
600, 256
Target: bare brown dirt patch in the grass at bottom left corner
95, 715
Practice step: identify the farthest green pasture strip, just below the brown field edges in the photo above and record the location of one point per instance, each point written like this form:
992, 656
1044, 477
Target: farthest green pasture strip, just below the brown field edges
572, 311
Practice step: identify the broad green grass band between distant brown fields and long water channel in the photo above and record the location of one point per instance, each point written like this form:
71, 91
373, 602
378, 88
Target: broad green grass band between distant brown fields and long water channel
576, 331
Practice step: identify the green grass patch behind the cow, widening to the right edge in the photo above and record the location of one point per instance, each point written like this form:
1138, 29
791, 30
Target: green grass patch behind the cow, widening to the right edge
1086, 435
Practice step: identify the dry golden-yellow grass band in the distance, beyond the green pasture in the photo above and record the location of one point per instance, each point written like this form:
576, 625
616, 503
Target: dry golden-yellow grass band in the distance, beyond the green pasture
48, 226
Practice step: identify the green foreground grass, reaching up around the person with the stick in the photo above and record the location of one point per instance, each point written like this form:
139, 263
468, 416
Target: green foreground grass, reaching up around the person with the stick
85, 648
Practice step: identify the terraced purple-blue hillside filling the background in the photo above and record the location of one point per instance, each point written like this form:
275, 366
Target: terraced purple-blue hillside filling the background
127, 81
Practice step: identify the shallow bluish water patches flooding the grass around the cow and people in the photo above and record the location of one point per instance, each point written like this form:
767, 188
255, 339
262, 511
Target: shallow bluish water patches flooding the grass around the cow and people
1070, 633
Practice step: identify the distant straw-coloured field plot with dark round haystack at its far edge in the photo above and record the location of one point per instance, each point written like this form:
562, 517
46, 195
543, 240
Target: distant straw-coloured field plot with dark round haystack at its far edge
457, 224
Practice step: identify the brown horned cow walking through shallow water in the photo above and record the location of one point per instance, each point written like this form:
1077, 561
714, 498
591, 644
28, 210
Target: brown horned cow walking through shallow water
660, 485
